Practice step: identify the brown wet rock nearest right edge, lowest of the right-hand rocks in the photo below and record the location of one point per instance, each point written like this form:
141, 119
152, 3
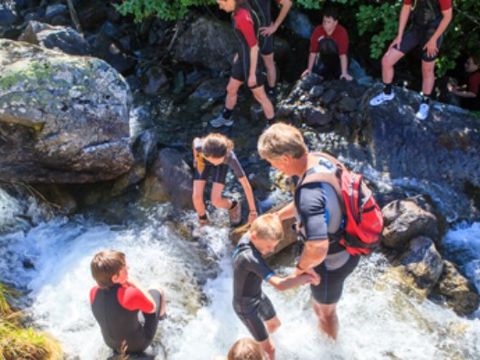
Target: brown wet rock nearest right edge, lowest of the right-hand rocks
457, 290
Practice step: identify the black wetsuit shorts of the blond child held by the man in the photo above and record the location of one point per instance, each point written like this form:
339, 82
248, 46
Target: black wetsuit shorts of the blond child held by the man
254, 319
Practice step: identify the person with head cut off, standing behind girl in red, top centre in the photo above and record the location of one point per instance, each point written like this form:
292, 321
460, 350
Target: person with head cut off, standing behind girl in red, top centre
267, 29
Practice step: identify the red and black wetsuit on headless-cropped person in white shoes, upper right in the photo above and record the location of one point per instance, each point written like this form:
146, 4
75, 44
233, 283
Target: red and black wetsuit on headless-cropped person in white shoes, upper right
425, 17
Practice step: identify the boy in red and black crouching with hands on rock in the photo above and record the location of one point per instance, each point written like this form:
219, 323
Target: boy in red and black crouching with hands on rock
329, 48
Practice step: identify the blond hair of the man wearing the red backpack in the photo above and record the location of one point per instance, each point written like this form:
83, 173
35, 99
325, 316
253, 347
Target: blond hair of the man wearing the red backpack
281, 139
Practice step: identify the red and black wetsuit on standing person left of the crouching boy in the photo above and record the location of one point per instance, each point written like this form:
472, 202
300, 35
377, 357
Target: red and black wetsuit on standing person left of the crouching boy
245, 25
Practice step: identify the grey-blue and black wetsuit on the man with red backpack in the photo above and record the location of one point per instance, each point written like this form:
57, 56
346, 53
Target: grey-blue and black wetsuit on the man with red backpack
320, 216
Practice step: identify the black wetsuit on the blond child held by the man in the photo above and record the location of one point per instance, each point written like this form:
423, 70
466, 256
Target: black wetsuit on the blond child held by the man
252, 306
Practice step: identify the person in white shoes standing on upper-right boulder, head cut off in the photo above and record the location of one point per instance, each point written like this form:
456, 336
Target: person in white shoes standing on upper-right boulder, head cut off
429, 20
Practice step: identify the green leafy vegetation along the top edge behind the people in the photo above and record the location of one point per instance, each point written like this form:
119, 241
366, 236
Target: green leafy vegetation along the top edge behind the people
373, 21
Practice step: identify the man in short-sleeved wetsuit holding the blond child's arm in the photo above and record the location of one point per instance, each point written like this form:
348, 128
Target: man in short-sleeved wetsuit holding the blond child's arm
319, 216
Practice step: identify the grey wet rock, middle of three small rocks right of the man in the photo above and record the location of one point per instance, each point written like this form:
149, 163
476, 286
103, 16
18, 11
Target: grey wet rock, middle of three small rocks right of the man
422, 261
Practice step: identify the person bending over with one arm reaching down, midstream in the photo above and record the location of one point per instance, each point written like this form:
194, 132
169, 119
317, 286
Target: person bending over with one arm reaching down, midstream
213, 155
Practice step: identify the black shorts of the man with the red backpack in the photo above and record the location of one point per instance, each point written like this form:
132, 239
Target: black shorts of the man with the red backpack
330, 288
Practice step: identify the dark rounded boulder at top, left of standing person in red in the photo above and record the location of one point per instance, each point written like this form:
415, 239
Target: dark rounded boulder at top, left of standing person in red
214, 41
